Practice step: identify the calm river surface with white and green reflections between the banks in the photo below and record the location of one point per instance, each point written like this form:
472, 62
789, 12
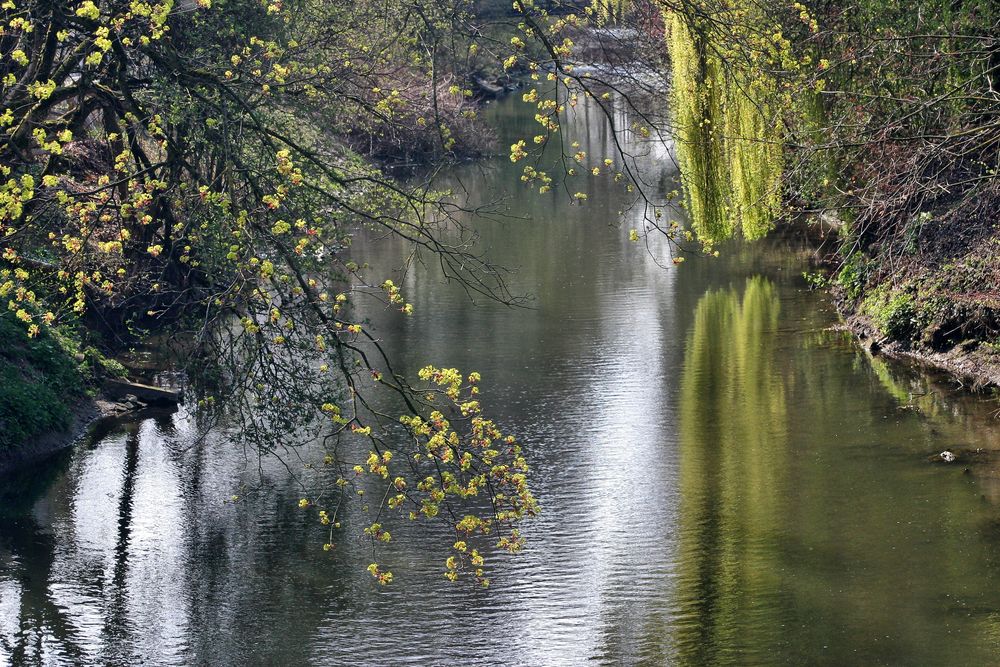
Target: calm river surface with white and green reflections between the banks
724, 479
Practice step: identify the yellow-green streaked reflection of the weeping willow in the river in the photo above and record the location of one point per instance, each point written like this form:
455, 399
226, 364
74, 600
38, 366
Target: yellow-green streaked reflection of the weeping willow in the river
732, 412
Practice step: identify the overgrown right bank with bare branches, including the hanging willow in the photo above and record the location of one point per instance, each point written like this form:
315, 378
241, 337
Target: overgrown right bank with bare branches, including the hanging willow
885, 115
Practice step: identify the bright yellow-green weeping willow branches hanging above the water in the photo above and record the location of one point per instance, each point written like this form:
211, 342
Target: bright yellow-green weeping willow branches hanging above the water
729, 138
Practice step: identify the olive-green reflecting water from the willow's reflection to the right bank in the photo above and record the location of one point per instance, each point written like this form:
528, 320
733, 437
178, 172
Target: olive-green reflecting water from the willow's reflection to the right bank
812, 529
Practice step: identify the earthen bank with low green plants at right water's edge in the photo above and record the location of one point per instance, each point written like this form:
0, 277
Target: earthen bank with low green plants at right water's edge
930, 293
